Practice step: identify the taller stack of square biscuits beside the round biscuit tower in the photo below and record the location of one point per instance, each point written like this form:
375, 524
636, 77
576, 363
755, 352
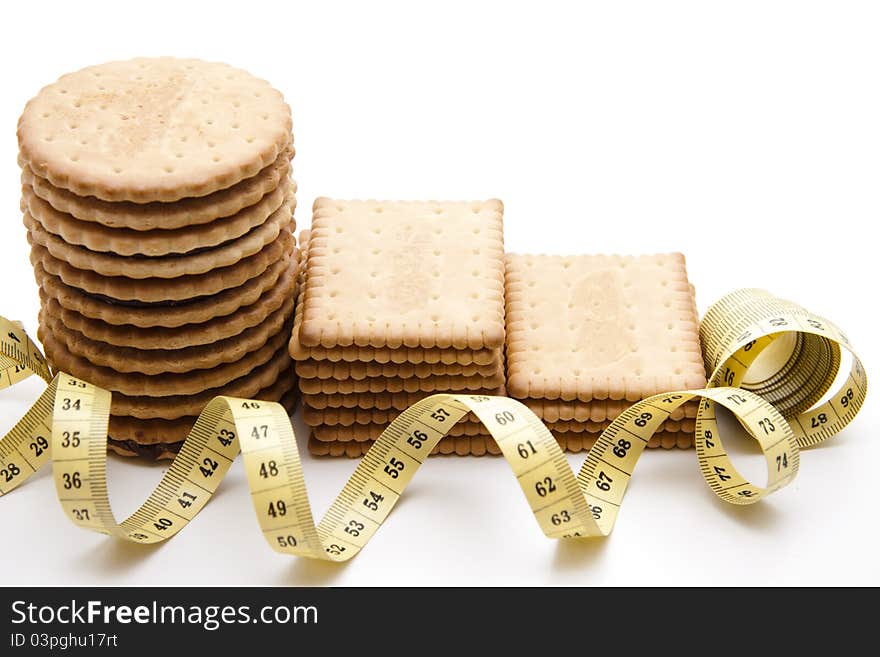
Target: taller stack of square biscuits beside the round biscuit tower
400, 300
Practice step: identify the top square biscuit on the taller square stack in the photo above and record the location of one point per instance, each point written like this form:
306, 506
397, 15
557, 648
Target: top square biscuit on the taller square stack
392, 274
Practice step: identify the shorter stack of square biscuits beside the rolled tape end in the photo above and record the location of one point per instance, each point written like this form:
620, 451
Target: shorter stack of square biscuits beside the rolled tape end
589, 335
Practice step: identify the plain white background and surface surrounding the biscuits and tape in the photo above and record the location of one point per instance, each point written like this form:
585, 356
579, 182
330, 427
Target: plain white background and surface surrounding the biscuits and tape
746, 135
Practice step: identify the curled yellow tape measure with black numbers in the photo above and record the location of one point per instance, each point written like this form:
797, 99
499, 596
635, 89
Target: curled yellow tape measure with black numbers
770, 360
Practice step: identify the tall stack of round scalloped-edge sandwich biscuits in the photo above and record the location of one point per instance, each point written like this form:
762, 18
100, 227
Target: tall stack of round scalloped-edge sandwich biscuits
159, 207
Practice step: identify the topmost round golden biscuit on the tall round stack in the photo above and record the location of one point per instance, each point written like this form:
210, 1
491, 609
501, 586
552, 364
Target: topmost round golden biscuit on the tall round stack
153, 129
